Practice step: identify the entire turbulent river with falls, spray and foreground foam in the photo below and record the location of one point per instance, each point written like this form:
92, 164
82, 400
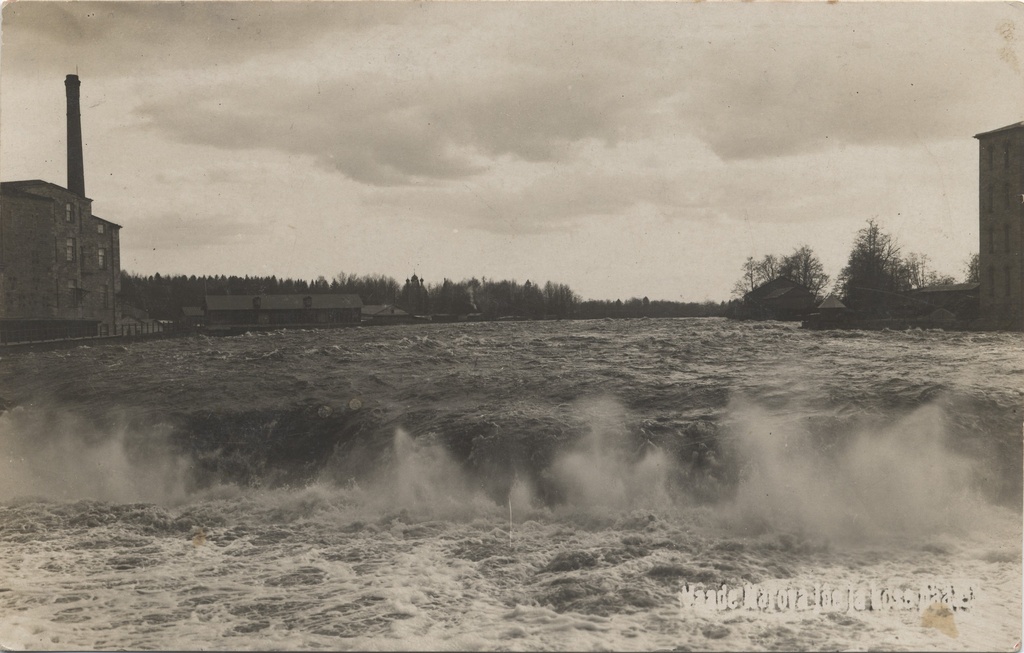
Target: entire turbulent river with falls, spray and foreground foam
523, 486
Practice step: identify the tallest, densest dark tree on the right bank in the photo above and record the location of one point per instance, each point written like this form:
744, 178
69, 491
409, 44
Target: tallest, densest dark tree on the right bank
872, 276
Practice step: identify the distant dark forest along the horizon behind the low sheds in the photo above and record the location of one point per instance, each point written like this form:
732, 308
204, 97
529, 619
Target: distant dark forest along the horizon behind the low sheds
163, 297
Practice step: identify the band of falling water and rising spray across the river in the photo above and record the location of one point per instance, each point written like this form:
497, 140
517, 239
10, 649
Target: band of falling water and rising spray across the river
763, 469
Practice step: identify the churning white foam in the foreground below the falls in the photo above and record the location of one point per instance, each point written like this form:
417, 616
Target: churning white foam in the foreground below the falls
306, 570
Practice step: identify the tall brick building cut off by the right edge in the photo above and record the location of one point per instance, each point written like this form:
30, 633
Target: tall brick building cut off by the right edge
1001, 220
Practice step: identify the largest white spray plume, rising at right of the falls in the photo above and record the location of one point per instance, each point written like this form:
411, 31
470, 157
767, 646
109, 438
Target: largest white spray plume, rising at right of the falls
897, 478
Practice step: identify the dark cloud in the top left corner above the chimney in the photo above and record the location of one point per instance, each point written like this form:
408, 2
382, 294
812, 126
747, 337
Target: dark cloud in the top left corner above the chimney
147, 37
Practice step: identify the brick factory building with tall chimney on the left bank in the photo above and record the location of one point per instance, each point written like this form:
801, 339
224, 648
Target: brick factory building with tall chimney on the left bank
60, 264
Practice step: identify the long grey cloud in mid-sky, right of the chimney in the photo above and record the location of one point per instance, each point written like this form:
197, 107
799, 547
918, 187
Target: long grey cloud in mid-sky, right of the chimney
392, 133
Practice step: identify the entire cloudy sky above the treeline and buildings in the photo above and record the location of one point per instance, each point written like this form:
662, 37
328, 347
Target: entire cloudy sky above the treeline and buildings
627, 150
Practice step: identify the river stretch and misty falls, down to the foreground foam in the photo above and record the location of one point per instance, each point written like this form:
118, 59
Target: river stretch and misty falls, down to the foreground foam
786, 429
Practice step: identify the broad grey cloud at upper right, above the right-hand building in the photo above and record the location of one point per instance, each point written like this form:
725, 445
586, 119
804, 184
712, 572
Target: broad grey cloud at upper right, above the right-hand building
856, 75
